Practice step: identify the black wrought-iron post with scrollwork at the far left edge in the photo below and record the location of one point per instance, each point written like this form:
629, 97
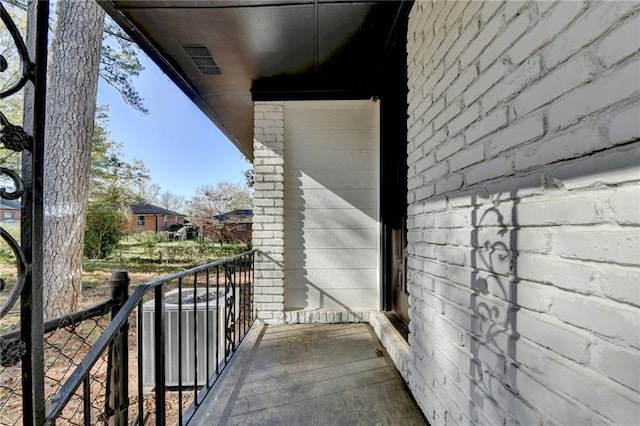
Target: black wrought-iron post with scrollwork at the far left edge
25, 290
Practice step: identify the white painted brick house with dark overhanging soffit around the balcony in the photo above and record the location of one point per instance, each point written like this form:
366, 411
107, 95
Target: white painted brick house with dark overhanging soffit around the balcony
469, 167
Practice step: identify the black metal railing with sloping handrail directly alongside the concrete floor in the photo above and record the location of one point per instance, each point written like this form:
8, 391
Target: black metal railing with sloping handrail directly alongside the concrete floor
195, 328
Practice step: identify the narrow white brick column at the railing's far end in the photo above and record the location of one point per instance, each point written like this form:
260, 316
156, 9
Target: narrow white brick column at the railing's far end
268, 210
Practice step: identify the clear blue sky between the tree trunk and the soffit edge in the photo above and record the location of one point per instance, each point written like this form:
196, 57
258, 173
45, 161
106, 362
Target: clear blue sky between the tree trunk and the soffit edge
179, 145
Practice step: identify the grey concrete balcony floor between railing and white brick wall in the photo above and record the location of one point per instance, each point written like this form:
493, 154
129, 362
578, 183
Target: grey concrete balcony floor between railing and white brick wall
310, 374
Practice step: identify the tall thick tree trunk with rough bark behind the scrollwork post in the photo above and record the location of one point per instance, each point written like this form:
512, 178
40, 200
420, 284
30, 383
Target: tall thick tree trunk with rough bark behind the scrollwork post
71, 102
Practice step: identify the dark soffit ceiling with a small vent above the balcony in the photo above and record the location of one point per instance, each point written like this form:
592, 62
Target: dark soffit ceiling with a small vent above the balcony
263, 50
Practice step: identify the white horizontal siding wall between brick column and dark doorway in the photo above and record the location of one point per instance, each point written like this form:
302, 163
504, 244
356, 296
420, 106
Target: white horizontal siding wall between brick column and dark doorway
331, 205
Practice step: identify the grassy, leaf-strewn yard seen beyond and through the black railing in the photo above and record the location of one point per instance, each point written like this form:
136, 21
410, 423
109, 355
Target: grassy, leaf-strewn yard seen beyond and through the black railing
144, 260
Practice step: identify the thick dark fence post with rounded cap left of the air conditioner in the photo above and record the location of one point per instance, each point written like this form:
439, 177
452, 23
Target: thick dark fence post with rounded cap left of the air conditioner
117, 403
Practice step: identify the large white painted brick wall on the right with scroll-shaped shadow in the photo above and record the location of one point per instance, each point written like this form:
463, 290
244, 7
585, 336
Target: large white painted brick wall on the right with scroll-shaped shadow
524, 211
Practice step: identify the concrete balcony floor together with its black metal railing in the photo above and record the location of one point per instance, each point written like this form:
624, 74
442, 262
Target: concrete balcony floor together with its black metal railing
219, 368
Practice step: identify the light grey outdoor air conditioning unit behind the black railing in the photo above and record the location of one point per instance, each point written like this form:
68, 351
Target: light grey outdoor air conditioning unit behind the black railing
216, 309
